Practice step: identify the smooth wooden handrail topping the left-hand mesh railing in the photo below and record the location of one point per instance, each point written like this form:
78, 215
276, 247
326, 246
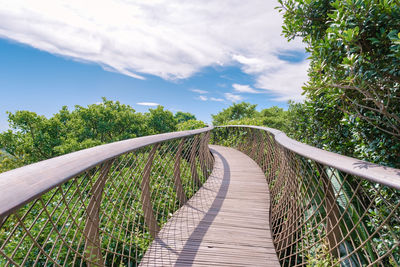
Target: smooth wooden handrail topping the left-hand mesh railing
19, 186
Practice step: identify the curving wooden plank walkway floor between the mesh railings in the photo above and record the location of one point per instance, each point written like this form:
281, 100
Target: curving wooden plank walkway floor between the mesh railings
226, 223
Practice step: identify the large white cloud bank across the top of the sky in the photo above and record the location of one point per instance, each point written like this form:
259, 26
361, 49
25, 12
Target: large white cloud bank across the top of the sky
172, 39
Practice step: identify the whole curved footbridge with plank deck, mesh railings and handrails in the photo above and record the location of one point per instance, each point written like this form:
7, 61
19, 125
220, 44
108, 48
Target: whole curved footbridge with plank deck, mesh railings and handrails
224, 196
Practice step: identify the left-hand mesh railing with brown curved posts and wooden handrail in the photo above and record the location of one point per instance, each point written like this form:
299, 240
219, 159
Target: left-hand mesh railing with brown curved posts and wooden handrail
104, 214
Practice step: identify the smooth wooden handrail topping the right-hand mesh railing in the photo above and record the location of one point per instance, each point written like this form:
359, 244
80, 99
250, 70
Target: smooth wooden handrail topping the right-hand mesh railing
373, 172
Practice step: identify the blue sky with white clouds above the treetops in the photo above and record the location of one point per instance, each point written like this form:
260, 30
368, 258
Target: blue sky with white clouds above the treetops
197, 56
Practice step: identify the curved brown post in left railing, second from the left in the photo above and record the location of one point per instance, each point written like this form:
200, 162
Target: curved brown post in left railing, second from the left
149, 217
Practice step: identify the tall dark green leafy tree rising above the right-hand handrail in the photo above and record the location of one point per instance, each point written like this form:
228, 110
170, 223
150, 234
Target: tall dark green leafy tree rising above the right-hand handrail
354, 84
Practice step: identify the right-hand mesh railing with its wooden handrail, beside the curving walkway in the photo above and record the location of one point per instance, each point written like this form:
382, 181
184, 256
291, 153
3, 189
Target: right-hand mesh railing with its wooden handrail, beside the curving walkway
326, 209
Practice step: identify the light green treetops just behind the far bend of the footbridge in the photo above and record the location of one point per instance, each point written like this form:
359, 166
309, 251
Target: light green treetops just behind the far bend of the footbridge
246, 114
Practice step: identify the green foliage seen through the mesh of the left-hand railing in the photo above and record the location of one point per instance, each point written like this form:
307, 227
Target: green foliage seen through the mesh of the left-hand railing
121, 220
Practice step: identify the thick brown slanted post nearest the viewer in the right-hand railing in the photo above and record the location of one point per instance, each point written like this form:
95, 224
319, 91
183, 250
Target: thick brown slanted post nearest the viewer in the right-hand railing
333, 231
